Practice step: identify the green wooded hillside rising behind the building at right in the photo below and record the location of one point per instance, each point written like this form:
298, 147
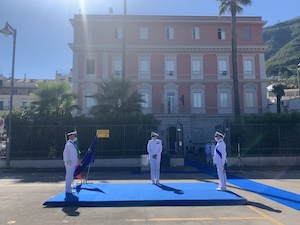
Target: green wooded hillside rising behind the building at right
283, 53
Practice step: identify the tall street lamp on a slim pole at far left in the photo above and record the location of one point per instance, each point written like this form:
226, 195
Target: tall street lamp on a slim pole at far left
8, 30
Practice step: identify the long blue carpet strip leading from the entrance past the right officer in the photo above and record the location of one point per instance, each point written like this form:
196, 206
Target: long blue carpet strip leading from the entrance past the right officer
281, 196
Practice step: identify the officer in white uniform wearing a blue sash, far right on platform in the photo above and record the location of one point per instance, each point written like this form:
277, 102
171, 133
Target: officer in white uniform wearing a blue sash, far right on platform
220, 159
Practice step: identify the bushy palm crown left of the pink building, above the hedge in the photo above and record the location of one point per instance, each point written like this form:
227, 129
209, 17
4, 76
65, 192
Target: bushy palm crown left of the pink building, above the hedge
54, 99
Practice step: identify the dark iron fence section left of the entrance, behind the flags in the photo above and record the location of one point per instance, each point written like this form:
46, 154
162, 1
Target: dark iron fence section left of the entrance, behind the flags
47, 142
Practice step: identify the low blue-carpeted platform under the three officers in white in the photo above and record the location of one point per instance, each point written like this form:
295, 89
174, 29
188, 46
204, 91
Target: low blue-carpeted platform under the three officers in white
145, 194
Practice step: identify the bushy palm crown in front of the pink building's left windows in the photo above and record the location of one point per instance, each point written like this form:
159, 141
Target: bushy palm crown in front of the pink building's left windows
114, 99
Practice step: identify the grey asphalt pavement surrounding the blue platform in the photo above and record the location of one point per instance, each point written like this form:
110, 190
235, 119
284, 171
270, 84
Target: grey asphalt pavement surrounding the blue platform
23, 192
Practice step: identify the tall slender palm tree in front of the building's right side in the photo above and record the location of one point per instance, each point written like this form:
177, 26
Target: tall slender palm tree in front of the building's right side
233, 6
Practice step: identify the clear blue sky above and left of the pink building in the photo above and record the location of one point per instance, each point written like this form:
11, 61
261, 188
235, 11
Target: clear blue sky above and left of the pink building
44, 30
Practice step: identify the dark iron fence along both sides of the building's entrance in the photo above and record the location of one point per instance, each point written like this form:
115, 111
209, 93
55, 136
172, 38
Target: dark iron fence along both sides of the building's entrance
47, 142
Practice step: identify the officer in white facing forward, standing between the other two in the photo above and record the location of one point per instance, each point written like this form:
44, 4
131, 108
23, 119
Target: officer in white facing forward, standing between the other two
154, 149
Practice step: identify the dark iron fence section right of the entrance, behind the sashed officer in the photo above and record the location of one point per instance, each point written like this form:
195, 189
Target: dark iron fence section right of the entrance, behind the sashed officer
264, 139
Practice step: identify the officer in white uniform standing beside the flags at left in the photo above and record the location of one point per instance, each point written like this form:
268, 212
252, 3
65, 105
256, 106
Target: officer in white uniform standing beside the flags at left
70, 158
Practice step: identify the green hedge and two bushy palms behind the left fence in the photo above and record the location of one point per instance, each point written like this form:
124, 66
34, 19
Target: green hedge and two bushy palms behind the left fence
40, 133
